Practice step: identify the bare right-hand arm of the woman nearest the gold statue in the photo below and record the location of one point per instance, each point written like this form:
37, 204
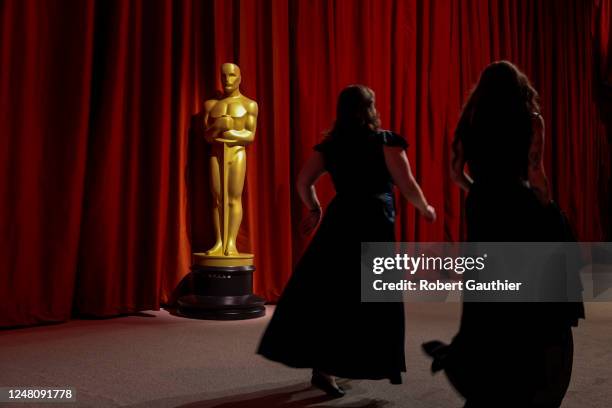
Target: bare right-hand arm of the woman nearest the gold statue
399, 167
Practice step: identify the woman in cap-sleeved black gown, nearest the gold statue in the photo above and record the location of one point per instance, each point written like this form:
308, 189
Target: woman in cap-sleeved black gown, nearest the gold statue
320, 321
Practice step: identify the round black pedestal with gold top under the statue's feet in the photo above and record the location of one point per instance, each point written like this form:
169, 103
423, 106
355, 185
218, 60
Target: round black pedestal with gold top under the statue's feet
222, 289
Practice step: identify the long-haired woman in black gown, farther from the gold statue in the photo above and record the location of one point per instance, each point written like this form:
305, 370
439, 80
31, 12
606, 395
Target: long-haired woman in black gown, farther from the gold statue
507, 354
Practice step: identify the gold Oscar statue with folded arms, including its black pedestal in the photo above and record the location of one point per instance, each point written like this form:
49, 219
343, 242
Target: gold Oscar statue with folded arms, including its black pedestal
222, 276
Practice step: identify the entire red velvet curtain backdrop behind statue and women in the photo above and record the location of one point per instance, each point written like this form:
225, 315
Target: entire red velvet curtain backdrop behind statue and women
104, 183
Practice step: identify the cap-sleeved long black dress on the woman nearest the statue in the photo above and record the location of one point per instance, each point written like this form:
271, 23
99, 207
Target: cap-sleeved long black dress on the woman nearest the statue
320, 321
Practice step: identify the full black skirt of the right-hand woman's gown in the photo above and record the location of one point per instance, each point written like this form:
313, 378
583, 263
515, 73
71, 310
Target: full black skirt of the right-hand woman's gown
511, 354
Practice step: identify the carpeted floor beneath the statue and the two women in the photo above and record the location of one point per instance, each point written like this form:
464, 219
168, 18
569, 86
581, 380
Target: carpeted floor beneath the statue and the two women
158, 360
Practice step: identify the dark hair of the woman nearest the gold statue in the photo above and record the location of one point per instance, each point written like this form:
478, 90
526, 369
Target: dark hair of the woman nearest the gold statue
355, 112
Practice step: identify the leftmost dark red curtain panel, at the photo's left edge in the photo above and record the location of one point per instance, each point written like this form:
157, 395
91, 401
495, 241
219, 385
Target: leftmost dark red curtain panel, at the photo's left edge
45, 77
